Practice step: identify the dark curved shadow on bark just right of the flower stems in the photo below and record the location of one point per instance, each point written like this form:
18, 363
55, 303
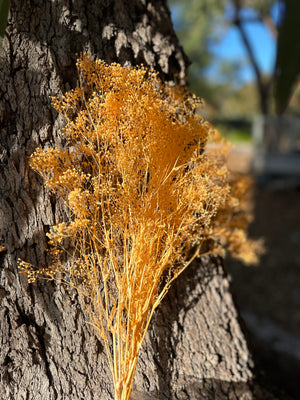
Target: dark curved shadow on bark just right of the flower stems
168, 324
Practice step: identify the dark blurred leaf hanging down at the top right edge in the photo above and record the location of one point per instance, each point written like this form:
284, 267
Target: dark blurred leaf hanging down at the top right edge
288, 55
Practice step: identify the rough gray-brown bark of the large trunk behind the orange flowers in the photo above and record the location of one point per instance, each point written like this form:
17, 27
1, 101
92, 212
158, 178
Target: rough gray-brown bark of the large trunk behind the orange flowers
195, 348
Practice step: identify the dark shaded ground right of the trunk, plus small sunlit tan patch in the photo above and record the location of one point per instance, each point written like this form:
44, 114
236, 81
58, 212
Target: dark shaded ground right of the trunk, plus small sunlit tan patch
269, 295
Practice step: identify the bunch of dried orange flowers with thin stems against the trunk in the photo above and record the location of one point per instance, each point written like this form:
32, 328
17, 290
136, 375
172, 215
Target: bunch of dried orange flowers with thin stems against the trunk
144, 192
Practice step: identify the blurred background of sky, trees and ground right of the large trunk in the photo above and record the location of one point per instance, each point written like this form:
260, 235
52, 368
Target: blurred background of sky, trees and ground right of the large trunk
245, 63
